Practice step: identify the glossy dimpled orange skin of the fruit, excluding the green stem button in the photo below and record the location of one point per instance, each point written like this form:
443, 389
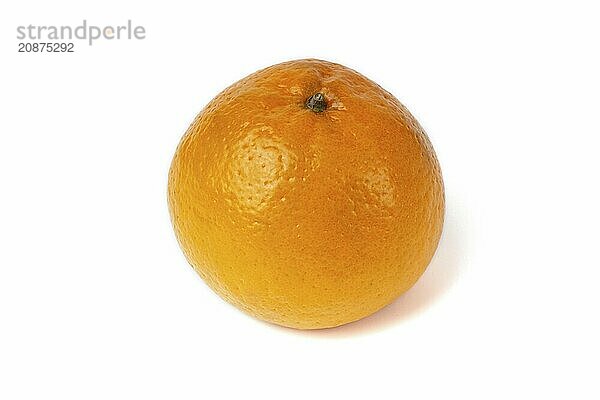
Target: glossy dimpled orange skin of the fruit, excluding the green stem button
303, 219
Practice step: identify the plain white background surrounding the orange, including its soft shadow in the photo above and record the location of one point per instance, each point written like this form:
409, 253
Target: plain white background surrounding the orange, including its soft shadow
98, 302
